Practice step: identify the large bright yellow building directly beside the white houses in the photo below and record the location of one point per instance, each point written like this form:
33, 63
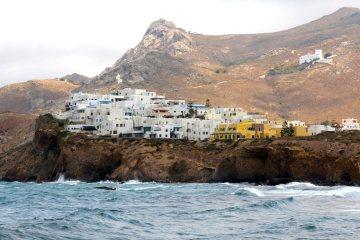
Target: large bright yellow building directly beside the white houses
234, 131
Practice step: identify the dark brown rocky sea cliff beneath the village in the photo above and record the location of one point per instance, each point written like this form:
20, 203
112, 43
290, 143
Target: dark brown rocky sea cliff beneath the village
324, 160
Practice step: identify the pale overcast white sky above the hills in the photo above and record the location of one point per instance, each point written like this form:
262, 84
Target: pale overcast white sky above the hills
51, 38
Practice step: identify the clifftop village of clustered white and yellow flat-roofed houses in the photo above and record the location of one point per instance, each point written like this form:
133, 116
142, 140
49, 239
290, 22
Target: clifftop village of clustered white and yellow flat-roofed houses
137, 113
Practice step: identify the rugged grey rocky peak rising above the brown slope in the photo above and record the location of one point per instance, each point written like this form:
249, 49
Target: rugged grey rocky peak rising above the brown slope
157, 52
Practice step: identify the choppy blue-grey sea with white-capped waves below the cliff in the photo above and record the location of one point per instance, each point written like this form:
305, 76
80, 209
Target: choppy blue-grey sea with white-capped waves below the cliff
77, 210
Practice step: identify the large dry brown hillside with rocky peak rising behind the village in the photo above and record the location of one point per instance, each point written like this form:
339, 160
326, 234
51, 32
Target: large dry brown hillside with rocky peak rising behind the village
230, 69
